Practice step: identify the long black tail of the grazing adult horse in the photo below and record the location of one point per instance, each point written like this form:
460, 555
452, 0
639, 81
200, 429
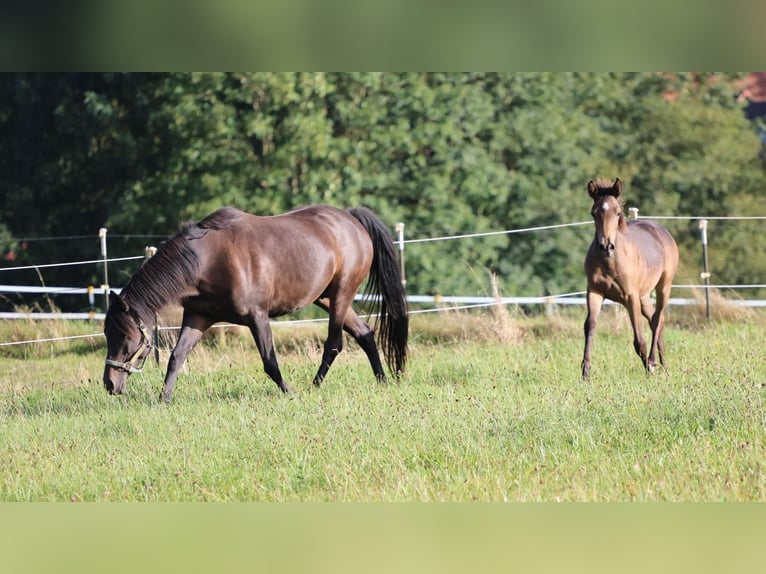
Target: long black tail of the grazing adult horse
385, 280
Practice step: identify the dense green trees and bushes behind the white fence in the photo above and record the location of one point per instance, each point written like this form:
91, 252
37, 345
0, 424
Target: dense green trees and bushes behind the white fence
445, 153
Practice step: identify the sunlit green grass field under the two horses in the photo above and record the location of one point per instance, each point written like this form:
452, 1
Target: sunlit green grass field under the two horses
491, 409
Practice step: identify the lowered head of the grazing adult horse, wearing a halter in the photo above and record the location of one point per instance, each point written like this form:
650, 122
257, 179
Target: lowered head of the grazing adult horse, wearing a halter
128, 344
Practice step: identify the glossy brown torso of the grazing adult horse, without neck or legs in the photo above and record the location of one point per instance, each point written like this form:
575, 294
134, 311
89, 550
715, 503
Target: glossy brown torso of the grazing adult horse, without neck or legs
286, 261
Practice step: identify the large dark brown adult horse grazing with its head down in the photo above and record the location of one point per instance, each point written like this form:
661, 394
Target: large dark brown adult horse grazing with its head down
244, 269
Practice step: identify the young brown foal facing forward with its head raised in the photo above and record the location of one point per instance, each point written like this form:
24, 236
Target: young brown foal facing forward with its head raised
625, 262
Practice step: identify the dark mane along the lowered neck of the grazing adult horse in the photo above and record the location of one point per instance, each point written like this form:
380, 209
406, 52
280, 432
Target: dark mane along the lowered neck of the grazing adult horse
175, 266
